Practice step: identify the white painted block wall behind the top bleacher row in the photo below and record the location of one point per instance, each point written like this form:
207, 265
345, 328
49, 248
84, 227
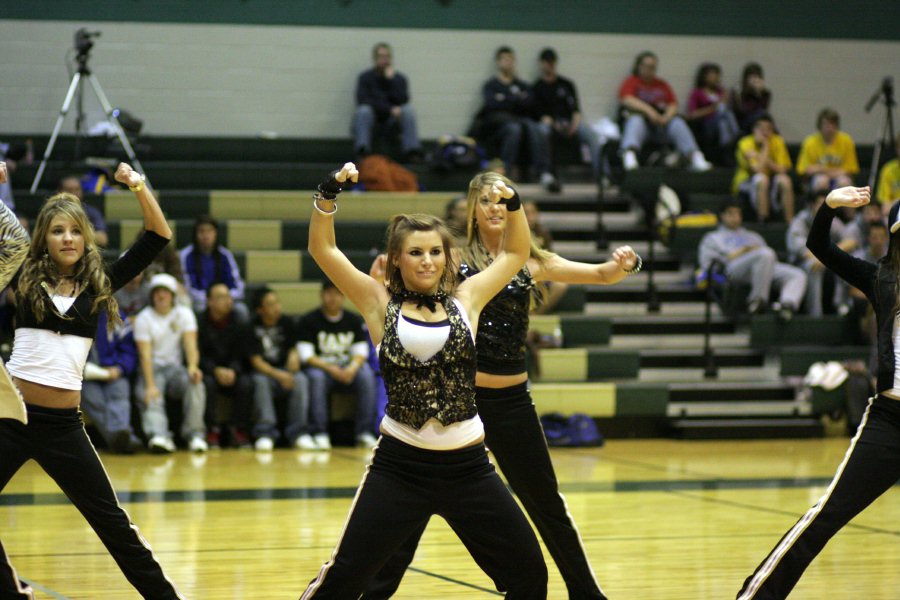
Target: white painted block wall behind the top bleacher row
298, 81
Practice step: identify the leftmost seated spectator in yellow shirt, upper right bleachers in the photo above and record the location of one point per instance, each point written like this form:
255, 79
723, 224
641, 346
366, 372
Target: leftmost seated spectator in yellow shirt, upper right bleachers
762, 176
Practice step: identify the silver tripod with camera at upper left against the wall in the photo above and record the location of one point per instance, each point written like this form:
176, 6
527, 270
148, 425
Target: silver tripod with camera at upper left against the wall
83, 46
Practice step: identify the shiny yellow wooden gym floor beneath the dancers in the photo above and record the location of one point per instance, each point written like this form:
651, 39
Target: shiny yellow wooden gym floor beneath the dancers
661, 519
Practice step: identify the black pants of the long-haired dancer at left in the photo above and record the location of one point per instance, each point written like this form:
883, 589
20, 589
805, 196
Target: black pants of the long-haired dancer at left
56, 440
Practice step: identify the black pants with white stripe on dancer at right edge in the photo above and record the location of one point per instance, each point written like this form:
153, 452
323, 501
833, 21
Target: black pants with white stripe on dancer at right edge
870, 467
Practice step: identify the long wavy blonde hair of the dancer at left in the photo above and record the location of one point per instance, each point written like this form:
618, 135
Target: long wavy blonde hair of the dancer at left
88, 272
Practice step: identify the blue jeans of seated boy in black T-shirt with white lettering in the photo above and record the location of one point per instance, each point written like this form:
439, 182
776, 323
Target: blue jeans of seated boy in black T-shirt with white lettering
363, 386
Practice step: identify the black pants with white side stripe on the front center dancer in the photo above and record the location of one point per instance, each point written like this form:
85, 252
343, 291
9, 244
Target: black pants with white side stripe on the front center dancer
403, 486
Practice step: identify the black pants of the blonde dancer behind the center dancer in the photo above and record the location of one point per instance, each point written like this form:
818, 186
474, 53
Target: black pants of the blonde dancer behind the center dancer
514, 436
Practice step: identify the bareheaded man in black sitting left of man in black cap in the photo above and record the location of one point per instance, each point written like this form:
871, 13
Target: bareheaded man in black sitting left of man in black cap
507, 112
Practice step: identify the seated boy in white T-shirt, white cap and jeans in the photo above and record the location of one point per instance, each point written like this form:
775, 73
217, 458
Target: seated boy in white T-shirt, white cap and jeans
166, 336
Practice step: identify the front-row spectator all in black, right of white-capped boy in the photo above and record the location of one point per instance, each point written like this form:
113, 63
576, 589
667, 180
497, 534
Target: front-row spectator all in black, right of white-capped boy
229, 386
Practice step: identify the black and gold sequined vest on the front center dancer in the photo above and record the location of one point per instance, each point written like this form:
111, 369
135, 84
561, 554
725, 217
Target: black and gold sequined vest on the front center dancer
443, 387
